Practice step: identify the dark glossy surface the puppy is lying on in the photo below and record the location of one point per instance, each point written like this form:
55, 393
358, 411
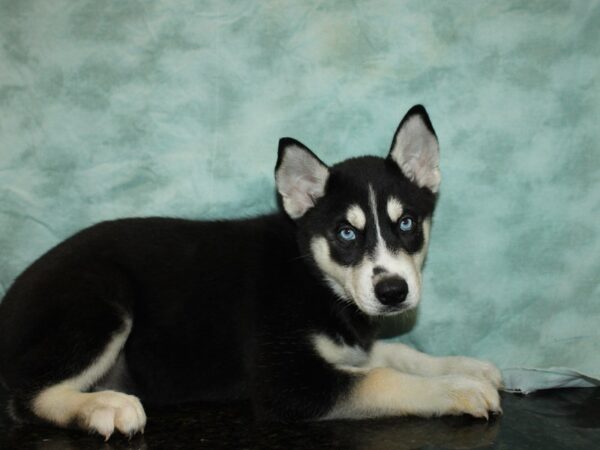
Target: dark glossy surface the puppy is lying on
561, 419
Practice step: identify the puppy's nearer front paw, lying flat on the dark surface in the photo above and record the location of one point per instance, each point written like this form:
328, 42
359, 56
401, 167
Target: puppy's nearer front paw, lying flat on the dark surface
466, 395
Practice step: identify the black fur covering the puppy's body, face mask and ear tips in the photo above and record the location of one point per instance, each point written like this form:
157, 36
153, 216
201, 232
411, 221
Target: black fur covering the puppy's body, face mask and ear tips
220, 310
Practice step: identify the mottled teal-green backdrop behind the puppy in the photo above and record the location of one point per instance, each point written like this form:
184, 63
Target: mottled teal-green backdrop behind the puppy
135, 108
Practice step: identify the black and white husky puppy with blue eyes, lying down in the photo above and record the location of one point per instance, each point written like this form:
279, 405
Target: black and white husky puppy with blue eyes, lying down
280, 310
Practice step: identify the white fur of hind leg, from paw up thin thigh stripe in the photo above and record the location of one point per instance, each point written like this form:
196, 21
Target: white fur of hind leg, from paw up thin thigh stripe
100, 412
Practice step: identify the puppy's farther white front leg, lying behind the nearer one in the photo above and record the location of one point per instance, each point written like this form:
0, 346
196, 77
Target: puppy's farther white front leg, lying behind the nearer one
408, 360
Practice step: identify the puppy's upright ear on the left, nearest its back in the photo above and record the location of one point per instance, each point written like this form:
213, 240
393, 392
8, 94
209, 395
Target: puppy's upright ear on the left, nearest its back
300, 177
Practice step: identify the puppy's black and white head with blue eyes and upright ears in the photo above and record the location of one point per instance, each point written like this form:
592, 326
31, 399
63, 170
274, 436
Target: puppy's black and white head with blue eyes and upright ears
365, 222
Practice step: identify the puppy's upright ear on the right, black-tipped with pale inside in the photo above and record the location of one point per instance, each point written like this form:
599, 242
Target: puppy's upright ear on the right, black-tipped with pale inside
415, 149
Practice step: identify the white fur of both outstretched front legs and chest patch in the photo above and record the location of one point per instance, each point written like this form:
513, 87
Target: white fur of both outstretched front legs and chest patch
398, 380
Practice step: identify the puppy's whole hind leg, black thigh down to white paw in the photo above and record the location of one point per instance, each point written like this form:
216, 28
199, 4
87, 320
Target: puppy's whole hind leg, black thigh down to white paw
59, 341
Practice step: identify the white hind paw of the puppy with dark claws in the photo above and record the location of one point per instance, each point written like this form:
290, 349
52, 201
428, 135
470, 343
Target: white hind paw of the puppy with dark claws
103, 412
